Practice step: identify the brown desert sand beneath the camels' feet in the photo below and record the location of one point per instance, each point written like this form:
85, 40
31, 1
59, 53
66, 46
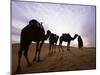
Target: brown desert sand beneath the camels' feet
75, 59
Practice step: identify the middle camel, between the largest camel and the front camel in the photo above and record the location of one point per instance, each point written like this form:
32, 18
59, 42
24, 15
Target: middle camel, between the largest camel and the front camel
52, 43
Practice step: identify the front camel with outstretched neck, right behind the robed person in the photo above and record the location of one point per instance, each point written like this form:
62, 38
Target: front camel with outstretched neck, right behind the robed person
66, 38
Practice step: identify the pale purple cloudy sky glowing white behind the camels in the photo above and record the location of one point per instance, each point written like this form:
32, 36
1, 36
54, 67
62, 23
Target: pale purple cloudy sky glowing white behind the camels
58, 18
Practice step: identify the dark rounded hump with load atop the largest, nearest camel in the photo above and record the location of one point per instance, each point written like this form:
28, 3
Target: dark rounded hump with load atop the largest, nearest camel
36, 24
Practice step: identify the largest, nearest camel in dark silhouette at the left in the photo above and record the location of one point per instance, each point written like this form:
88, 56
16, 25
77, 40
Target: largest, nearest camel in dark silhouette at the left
34, 31
